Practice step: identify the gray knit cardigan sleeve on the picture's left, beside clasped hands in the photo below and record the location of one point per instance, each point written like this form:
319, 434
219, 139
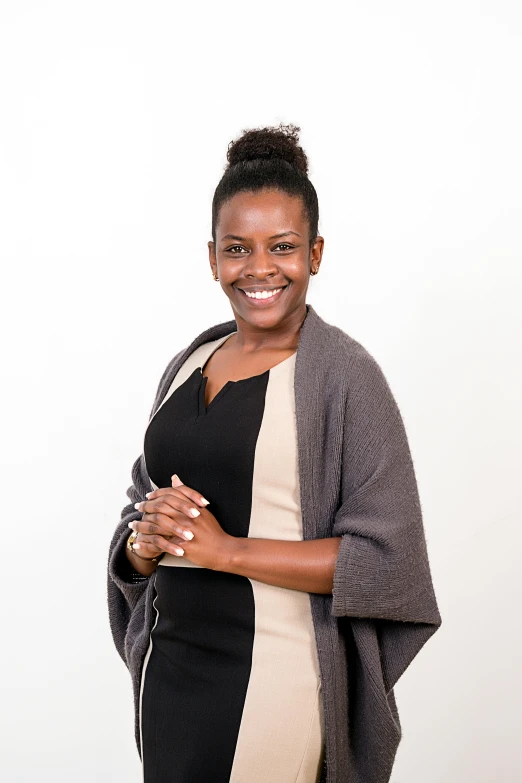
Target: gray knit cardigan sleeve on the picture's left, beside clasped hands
125, 585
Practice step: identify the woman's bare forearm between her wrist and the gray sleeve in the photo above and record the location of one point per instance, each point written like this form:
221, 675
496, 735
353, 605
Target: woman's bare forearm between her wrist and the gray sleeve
300, 565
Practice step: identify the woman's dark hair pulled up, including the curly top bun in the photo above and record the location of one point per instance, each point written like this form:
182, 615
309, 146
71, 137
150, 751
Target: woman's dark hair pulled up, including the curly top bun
268, 158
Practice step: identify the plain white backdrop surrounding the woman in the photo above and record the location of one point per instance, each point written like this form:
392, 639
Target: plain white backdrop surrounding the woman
115, 121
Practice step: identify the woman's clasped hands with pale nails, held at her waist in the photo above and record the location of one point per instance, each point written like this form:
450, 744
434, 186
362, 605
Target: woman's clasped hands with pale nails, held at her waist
175, 520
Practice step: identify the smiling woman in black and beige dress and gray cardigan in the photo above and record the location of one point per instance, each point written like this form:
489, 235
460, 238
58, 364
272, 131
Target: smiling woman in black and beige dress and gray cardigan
276, 582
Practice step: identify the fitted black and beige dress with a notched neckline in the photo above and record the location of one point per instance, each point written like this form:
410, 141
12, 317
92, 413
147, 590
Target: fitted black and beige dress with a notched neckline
230, 686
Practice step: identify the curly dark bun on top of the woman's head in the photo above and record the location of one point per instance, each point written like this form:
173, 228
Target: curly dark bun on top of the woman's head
280, 143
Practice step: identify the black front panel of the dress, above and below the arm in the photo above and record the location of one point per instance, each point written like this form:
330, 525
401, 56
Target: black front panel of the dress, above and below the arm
197, 674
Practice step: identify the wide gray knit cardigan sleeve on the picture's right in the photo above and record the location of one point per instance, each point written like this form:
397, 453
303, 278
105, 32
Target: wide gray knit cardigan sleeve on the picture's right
382, 574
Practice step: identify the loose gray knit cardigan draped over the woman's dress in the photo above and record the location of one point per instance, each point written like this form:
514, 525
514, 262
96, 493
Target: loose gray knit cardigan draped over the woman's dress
357, 481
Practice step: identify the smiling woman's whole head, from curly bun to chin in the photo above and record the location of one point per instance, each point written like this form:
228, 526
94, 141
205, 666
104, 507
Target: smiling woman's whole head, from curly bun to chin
265, 242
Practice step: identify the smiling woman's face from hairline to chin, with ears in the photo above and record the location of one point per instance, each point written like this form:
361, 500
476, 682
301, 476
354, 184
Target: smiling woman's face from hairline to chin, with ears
262, 244
